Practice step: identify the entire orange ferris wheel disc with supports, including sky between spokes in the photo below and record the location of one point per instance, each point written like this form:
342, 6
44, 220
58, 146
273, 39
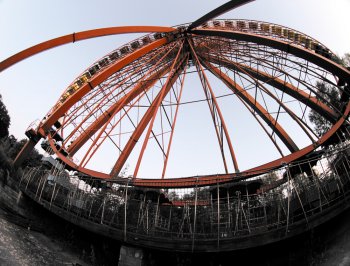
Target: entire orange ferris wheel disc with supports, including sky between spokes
207, 101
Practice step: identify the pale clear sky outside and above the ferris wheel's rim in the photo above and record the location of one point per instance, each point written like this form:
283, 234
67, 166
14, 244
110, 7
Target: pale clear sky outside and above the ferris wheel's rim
31, 87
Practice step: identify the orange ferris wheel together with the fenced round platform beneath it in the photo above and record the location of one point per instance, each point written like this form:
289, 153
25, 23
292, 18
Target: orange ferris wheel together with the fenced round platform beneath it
128, 108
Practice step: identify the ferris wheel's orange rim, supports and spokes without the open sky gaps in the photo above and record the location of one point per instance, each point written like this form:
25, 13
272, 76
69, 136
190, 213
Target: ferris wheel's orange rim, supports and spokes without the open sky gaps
208, 45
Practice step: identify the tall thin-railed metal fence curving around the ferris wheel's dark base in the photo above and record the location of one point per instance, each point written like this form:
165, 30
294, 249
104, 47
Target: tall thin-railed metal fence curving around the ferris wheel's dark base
222, 211
